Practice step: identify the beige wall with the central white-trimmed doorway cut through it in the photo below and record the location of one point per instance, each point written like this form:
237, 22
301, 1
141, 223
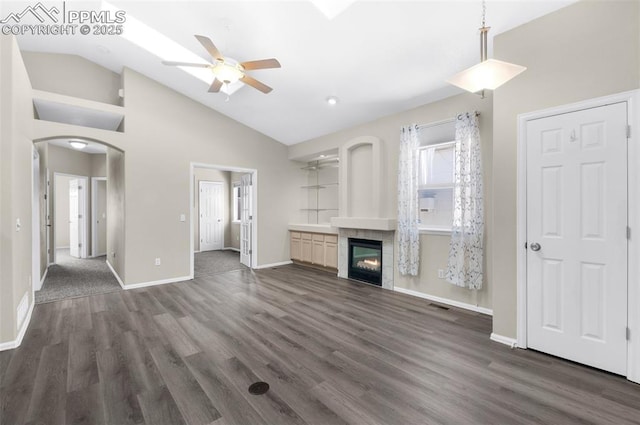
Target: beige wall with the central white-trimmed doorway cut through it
166, 132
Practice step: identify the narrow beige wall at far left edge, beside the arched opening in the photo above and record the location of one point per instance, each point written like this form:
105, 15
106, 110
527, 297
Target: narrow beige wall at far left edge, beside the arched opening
16, 113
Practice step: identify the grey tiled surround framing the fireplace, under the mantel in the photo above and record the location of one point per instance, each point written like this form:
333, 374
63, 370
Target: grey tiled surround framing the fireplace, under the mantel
375, 235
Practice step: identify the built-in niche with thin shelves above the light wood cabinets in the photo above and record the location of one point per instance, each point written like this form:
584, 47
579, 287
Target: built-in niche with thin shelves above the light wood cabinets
321, 193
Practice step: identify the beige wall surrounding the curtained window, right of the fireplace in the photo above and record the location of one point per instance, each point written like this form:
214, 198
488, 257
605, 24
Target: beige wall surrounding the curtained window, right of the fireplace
434, 248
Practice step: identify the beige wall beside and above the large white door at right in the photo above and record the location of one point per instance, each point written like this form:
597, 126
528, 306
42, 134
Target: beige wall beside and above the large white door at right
585, 50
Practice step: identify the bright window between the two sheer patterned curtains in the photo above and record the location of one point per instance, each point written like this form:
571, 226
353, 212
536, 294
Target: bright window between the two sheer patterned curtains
435, 176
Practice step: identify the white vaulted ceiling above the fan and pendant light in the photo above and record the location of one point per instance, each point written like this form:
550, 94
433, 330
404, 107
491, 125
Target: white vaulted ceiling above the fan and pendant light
376, 57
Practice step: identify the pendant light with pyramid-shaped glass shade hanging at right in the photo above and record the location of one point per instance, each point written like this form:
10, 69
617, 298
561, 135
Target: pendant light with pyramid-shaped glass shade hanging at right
489, 74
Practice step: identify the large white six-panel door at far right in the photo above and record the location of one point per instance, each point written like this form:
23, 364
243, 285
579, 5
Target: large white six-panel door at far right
577, 236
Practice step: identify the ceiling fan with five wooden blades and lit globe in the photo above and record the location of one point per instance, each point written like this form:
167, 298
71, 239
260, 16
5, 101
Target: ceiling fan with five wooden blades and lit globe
228, 71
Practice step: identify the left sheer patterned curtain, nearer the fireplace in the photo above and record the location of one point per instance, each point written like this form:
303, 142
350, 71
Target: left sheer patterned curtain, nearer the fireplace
408, 235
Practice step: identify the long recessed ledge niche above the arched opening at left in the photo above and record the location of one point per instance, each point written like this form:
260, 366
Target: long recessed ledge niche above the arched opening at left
78, 112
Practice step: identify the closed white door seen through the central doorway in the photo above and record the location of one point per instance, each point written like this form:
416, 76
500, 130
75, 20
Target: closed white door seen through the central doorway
211, 216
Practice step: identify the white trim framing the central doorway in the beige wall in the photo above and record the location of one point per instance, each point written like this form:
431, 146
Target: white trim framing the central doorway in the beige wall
254, 221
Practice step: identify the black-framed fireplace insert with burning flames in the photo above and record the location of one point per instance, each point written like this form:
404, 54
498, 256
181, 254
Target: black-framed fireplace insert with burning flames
365, 260
